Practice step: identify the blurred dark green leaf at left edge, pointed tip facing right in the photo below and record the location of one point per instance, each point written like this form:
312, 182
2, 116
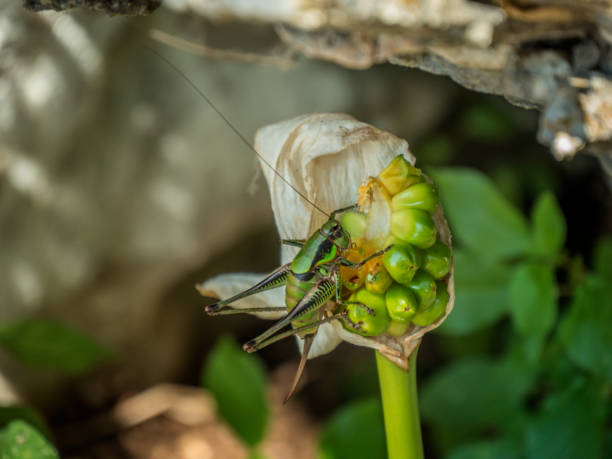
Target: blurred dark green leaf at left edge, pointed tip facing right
46, 344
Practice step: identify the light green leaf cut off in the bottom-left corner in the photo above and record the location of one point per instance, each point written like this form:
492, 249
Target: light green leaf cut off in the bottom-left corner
19, 440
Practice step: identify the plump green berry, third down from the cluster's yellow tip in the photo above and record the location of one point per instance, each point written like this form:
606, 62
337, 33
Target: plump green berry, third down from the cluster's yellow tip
414, 226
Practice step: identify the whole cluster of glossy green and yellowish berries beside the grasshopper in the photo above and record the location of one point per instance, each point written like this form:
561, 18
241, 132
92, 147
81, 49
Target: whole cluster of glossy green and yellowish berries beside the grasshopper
408, 284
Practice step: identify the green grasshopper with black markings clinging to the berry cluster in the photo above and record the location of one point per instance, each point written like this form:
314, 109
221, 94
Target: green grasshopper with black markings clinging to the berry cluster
311, 280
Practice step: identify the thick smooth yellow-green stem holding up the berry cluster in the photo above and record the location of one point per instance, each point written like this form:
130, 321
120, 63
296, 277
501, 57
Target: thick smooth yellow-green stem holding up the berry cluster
401, 408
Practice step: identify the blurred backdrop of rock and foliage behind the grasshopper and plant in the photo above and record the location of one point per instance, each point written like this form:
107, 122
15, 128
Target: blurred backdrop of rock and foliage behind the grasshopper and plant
120, 189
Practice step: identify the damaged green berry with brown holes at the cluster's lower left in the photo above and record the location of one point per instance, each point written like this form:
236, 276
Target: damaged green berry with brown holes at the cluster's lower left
367, 322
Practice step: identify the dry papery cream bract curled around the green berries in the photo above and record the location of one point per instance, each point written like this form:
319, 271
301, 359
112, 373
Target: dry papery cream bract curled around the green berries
326, 156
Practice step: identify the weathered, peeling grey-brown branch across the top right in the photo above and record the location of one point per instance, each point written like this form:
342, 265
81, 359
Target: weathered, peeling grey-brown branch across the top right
545, 54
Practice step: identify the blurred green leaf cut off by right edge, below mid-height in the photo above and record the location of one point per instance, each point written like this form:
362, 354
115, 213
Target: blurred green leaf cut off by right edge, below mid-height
586, 329
